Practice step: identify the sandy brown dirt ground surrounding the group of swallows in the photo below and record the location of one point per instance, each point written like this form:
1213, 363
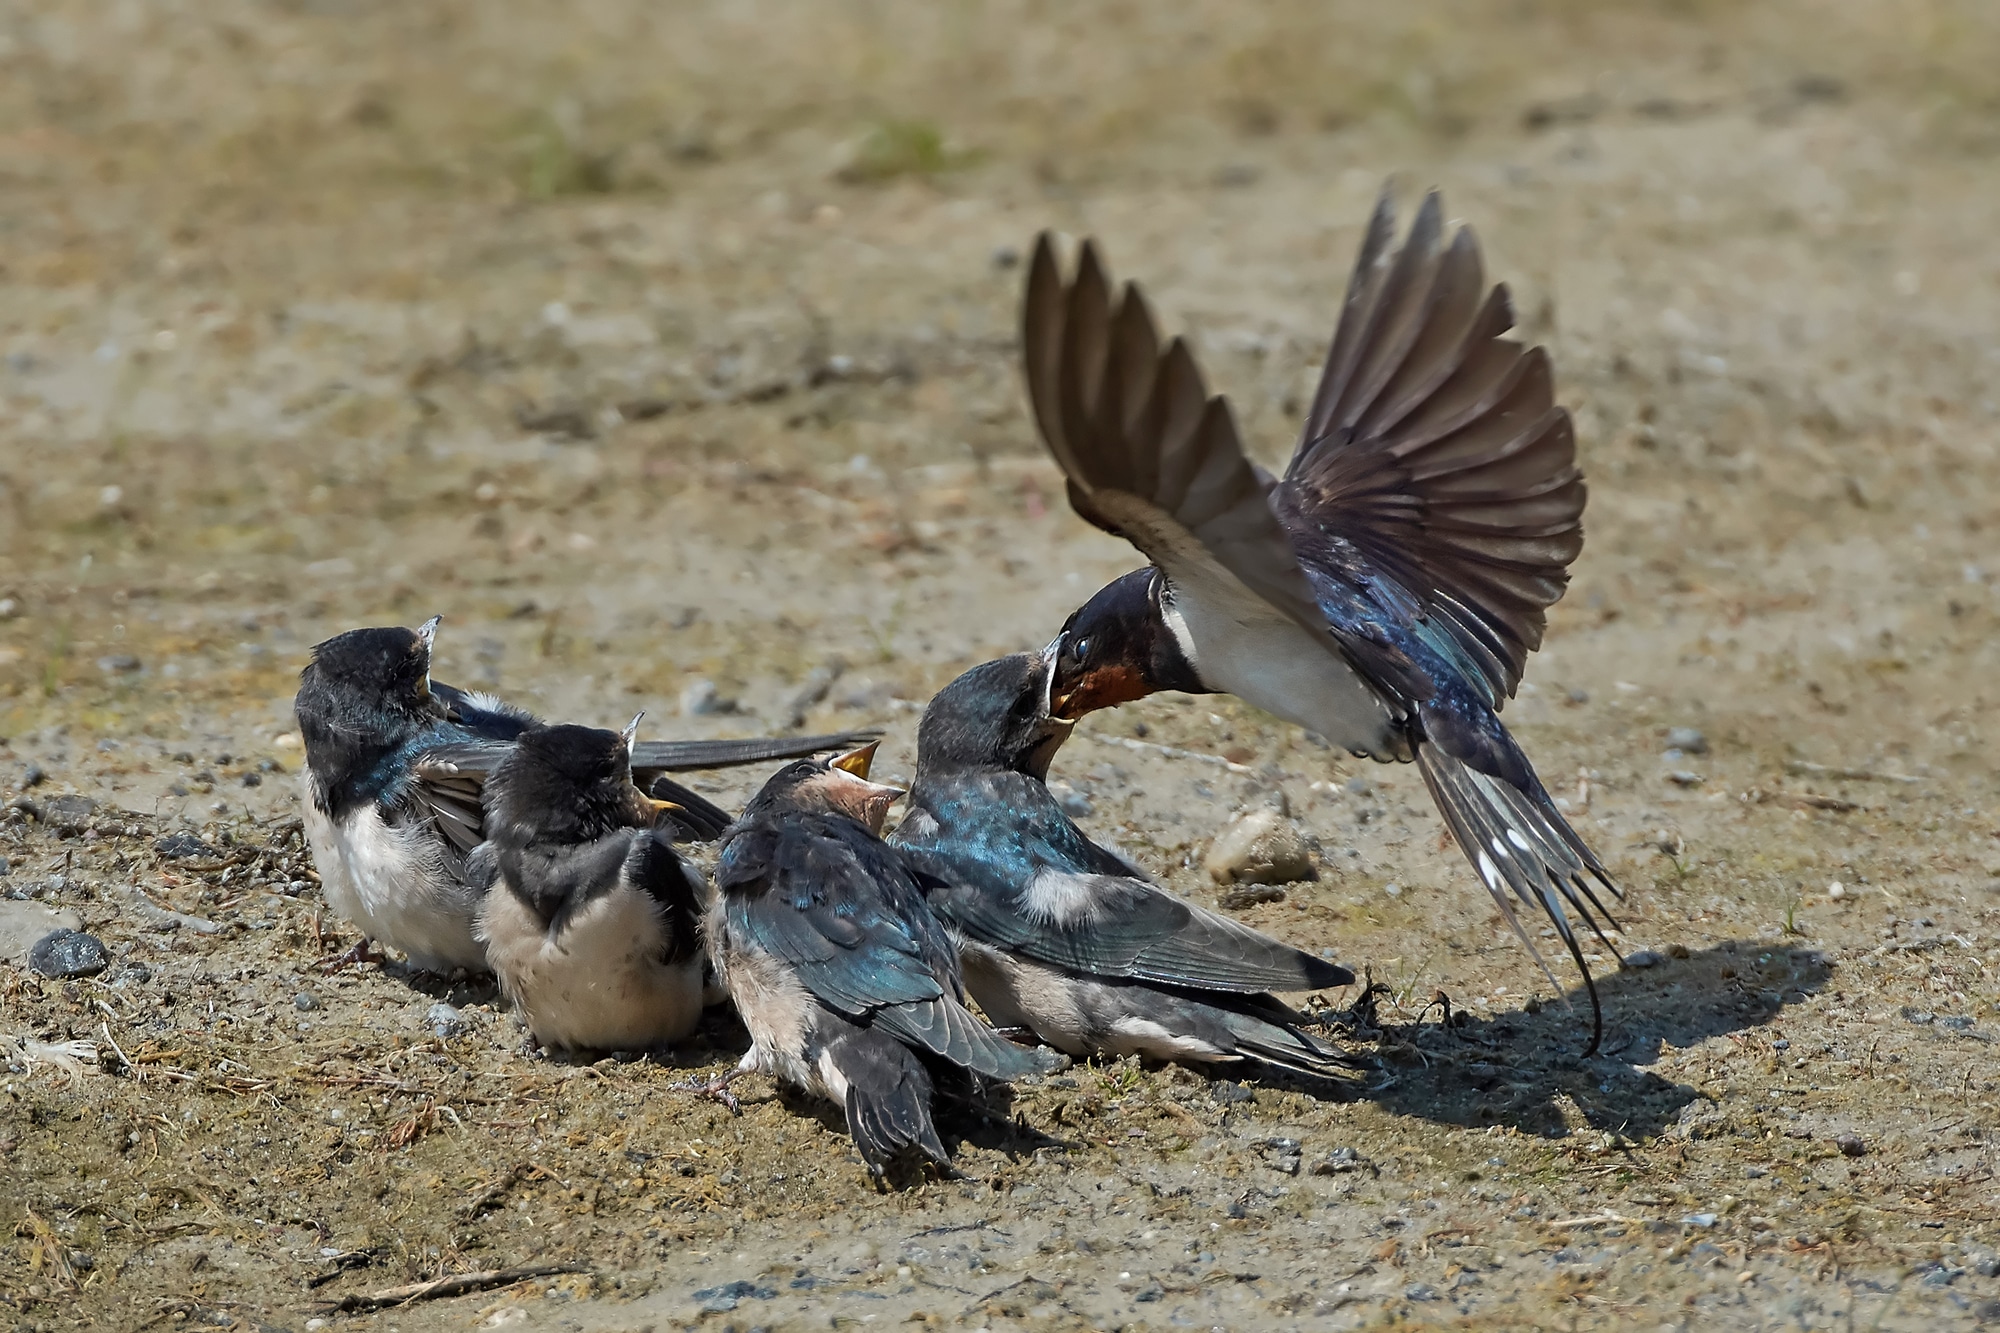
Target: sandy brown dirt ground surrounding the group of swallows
667, 351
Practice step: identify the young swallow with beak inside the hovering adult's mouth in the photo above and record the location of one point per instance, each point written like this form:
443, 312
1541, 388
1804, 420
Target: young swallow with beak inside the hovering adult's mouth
1061, 936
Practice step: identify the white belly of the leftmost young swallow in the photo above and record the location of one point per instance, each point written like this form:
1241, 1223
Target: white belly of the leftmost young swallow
393, 888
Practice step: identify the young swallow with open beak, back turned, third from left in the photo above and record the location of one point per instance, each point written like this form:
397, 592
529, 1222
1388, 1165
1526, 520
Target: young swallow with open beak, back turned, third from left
839, 970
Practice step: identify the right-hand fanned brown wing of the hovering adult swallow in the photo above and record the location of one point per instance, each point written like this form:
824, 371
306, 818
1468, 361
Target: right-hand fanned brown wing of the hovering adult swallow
1437, 449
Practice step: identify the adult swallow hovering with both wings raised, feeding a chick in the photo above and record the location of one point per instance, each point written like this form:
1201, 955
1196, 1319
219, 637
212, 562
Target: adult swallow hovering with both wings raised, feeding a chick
1389, 589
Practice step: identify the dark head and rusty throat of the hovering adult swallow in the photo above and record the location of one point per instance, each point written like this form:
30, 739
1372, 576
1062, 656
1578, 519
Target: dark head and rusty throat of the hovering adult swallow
1121, 645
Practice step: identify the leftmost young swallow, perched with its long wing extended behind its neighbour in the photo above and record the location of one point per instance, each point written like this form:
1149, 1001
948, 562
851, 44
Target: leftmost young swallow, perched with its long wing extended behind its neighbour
395, 764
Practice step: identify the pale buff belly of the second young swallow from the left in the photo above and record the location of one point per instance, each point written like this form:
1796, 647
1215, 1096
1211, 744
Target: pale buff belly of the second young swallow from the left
601, 986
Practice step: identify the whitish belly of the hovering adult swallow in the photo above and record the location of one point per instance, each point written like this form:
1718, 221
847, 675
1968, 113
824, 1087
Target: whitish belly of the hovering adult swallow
1249, 649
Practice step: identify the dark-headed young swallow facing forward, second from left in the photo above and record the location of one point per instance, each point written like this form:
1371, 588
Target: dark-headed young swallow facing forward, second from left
589, 916
